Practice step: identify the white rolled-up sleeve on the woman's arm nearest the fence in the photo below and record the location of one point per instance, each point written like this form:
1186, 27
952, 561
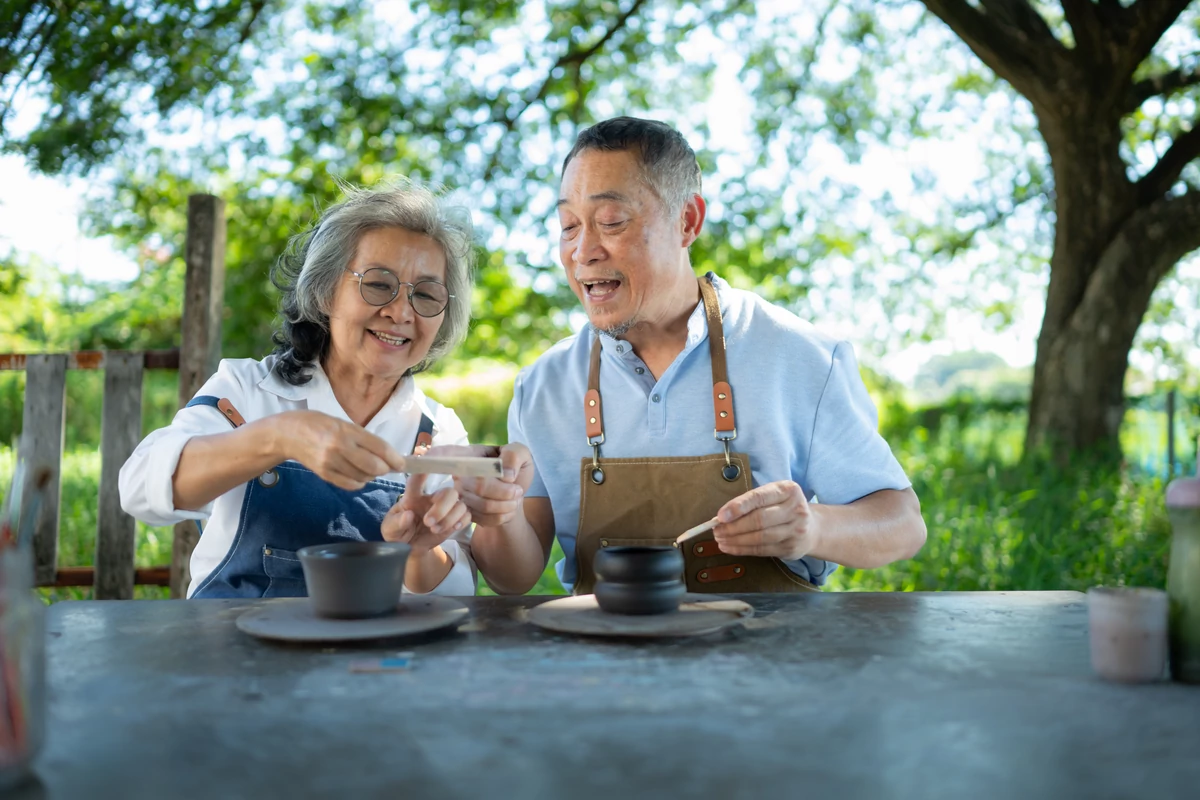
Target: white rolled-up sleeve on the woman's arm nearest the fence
146, 479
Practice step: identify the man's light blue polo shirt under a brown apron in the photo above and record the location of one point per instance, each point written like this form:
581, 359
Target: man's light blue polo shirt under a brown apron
802, 413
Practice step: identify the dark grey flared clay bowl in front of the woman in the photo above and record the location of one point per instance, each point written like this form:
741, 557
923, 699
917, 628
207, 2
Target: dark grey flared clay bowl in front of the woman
355, 580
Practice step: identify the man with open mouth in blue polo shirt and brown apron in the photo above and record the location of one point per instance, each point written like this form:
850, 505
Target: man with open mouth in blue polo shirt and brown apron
685, 400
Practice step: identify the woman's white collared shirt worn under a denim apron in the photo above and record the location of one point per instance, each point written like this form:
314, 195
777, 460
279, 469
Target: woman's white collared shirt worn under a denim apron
257, 392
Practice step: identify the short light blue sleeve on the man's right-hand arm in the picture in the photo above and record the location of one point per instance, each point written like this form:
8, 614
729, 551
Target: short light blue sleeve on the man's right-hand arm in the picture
849, 459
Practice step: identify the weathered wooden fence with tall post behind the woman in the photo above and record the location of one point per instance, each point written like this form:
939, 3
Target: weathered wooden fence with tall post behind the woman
44, 422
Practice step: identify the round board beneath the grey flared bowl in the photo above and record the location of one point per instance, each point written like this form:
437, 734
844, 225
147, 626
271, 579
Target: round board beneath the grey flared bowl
293, 621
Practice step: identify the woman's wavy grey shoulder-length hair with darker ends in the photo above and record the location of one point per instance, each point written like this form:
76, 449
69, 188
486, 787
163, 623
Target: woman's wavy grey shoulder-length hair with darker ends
315, 264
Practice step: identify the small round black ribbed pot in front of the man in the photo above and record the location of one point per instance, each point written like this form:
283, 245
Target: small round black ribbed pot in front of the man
639, 580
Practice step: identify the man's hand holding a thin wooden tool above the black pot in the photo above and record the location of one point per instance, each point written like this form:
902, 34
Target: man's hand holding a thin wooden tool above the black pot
772, 520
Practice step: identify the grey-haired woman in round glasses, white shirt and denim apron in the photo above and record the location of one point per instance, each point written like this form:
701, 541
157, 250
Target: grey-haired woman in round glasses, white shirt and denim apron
305, 447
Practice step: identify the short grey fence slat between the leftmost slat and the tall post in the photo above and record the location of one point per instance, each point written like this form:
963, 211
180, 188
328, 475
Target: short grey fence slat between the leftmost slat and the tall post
119, 435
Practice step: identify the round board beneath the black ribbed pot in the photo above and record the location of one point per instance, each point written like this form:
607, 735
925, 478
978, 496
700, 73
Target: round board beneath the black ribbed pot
698, 616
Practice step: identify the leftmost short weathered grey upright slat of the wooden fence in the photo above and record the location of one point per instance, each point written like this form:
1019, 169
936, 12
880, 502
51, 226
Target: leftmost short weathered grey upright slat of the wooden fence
41, 446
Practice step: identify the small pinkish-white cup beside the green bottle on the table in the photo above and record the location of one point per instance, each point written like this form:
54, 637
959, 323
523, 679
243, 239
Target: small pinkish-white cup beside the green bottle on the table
1127, 631
